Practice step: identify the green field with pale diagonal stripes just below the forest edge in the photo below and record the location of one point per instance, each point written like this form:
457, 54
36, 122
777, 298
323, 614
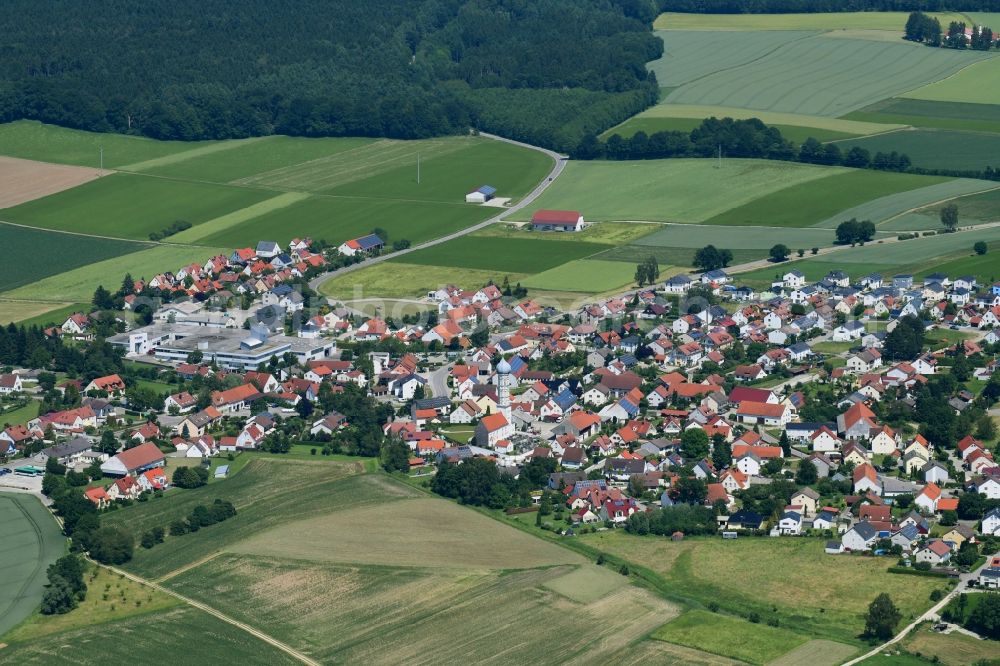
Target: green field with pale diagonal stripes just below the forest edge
325, 173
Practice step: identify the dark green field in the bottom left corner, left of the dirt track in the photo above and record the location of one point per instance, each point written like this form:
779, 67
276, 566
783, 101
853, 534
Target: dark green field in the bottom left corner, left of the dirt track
161, 637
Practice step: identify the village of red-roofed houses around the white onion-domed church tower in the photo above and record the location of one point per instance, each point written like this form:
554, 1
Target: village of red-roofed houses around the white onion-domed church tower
859, 413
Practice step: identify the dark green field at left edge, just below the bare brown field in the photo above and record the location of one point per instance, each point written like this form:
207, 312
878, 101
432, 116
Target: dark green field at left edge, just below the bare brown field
133, 206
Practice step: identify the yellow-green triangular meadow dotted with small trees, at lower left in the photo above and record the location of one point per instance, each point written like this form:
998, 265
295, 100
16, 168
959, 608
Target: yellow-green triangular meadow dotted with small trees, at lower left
110, 597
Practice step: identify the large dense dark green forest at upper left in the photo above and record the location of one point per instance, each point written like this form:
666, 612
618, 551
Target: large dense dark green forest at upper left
211, 69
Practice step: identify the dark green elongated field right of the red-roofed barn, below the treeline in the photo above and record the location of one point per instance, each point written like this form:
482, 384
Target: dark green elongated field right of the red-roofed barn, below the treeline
806, 204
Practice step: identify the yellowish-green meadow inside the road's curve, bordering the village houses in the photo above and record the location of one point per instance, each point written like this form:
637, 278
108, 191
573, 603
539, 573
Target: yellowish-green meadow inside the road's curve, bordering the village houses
404, 280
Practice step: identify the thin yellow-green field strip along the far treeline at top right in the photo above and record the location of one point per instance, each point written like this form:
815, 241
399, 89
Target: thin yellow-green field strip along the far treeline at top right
818, 21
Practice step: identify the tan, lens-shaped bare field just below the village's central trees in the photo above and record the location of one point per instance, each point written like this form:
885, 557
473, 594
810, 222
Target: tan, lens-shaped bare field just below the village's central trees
425, 532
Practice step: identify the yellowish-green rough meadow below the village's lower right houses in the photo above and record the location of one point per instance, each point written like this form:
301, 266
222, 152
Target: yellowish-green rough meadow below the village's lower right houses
782, 569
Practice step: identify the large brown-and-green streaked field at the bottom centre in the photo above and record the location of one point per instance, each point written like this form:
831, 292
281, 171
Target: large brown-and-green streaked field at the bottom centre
391, 615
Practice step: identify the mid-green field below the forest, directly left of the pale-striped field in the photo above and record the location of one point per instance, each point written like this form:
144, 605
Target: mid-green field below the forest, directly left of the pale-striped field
233, 160
